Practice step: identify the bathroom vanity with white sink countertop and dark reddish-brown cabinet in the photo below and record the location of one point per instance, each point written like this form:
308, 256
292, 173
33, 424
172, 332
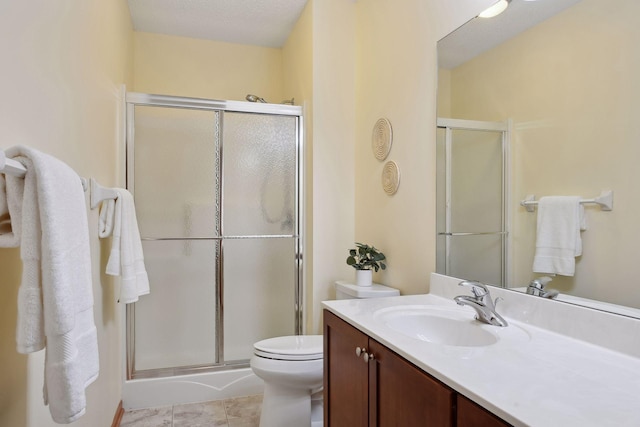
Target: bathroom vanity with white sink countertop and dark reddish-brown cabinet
554, 365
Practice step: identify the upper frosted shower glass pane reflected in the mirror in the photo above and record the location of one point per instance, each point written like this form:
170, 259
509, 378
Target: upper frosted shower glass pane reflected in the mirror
476, 181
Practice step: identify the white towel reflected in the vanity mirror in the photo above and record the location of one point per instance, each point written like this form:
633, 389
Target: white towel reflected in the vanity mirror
558, 241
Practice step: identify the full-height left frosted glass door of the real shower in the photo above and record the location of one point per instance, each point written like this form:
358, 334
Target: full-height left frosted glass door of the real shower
176, 206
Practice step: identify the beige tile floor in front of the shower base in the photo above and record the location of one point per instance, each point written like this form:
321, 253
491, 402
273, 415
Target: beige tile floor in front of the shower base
235, 412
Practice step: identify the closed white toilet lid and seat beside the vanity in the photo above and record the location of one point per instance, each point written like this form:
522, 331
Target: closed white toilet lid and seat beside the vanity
295, 347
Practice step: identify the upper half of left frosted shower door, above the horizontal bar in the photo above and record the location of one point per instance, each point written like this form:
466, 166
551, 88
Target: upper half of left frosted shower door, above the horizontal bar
175, 171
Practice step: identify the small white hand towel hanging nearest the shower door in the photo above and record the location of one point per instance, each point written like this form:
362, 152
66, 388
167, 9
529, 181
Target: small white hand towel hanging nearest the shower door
126, 259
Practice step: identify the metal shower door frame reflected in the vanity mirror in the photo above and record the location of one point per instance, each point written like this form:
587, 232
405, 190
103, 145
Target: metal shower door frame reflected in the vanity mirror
449, 125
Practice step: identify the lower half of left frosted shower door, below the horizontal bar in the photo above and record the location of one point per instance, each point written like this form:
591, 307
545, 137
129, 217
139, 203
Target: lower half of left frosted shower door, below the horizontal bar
175, 323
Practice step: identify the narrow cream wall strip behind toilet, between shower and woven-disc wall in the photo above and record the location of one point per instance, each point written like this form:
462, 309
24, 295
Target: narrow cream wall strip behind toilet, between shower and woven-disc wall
333, 191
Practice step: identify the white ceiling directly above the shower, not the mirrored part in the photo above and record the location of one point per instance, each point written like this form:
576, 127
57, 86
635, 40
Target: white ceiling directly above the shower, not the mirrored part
253, 22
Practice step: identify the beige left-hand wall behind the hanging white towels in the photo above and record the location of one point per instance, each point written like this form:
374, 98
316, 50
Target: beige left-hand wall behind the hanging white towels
63, 64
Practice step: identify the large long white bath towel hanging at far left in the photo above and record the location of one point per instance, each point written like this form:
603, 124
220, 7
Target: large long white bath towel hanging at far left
55, 302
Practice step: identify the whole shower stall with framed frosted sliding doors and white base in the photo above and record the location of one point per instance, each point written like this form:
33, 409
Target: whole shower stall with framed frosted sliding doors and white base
218, 190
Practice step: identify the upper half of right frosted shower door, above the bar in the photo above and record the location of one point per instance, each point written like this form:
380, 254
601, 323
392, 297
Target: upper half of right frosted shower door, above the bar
259, 181
